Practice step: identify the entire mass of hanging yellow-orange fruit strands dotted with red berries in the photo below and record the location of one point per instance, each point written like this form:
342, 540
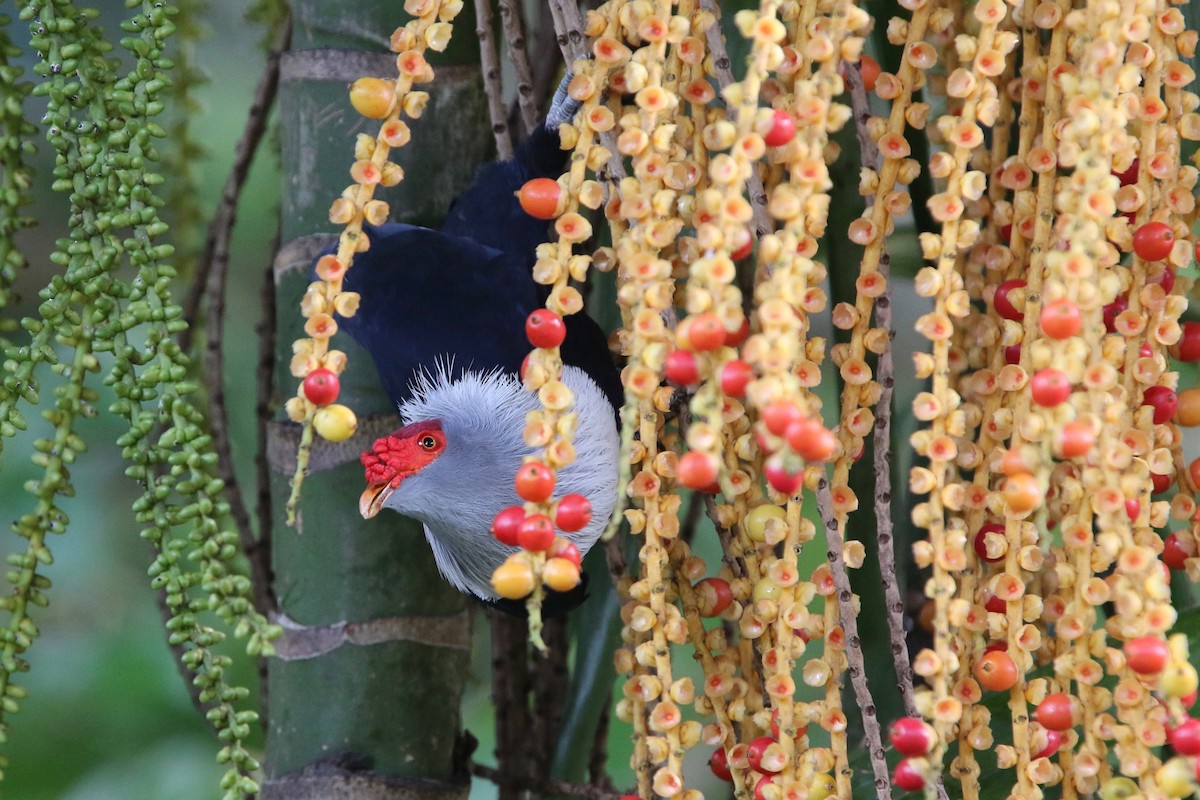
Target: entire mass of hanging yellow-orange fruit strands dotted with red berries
1053, 485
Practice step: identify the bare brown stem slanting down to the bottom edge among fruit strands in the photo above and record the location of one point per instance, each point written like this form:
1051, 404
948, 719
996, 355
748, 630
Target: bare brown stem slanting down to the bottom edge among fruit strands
854, 643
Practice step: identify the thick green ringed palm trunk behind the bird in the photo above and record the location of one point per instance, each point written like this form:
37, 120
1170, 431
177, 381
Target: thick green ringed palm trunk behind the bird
365, 696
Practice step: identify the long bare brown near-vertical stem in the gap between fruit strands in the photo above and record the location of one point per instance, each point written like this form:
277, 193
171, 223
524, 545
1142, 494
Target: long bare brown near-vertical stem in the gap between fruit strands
886, 376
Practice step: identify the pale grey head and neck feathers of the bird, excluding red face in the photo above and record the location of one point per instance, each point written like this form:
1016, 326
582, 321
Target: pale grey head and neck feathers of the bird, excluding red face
460, 494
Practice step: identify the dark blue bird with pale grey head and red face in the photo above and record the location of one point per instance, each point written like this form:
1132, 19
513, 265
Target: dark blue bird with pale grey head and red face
443, 316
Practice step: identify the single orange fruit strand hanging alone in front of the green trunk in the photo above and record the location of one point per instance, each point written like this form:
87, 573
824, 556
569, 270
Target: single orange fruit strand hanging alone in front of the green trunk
388, 101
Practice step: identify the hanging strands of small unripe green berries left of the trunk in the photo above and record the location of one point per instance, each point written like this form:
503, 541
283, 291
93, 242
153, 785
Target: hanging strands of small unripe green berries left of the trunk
115, 297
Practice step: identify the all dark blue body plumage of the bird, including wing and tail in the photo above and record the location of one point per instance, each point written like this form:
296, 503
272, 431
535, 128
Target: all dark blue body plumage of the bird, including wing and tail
466, 291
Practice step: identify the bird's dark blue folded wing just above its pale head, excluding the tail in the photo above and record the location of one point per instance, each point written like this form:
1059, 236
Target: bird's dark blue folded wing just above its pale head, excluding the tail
429, 297
